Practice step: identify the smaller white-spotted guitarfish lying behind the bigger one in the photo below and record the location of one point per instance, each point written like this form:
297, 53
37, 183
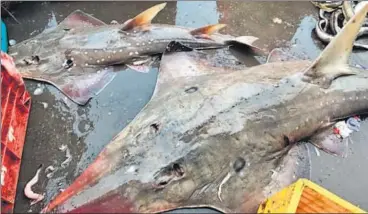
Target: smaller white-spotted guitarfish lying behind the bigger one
78, 55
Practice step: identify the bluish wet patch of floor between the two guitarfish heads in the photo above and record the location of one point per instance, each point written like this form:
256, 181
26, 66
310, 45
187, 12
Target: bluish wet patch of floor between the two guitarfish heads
116, 106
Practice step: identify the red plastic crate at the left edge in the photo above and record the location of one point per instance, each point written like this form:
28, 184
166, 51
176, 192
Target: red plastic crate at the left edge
15, 109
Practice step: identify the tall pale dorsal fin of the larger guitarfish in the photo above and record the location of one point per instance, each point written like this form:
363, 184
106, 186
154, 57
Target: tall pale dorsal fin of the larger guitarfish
333, 61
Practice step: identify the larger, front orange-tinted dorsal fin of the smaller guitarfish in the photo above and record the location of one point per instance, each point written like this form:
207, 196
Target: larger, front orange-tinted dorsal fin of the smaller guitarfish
143, 18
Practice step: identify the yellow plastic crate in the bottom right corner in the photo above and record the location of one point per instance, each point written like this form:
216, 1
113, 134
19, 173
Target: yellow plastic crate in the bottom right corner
304, 196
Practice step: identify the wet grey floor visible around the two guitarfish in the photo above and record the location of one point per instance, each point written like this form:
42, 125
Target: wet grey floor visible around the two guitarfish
87, 129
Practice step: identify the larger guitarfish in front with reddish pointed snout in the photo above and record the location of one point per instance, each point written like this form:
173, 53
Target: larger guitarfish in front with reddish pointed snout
222, 138
